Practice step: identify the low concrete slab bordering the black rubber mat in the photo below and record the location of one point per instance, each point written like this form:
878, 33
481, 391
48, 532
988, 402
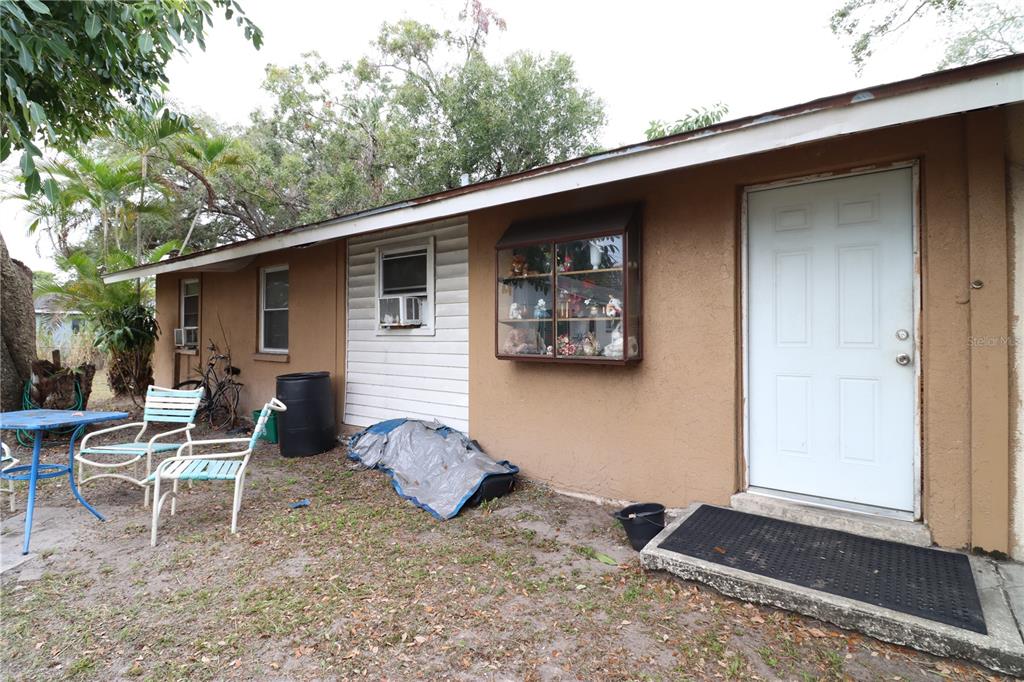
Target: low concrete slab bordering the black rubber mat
1001, 587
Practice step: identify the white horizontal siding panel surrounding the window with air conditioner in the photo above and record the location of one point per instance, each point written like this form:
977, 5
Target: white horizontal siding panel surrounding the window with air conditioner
401, 373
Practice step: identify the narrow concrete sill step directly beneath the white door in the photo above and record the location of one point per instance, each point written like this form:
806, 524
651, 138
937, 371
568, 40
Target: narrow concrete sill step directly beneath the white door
869, 526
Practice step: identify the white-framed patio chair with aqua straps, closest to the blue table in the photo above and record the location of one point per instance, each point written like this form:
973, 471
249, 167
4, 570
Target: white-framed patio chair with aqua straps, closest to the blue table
163, 406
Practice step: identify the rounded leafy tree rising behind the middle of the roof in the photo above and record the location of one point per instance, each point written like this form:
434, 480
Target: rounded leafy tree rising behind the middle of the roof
470, 120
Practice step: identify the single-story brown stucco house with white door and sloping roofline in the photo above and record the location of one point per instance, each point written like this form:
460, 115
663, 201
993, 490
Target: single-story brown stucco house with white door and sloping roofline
817, 305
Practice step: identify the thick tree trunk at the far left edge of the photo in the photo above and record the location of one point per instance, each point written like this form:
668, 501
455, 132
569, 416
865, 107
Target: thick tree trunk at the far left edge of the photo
18, 329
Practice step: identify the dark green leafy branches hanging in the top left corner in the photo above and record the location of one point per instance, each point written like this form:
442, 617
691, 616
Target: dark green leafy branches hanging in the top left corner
68, 67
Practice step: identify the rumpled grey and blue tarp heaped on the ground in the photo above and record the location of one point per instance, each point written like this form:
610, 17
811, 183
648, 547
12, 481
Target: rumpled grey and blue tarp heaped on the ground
434, 466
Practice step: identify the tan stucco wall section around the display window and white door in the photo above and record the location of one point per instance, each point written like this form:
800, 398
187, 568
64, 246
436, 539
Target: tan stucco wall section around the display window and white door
668, 430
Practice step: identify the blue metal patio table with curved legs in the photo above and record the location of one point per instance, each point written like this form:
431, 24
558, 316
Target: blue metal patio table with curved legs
41, 421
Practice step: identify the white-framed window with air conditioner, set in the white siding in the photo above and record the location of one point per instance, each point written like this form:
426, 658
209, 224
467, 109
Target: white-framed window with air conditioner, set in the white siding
406, 287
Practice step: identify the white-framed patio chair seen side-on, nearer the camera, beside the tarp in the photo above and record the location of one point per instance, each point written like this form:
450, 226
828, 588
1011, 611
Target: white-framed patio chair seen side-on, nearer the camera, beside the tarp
230, 466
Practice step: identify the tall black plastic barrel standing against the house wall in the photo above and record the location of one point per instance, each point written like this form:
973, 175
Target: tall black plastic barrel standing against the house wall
308, 427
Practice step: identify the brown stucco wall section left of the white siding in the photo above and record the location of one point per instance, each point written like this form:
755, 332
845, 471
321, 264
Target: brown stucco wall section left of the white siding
229, 314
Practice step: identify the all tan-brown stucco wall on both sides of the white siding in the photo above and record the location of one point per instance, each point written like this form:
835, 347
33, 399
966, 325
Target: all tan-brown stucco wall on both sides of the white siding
670, 429
